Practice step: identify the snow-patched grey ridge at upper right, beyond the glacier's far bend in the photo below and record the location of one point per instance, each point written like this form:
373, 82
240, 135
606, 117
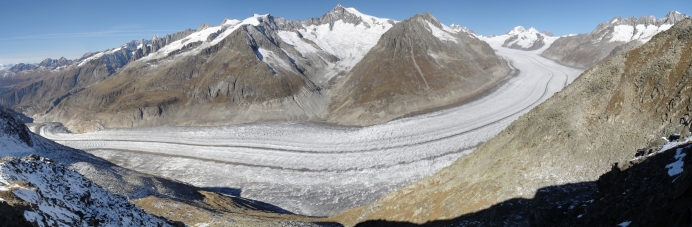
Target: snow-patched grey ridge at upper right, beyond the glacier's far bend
608, 39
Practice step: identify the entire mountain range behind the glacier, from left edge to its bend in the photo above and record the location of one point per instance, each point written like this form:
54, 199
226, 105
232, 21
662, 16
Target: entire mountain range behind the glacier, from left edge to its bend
262, 68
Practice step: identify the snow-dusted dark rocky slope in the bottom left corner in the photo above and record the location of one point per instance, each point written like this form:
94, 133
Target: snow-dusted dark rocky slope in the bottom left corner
65, 198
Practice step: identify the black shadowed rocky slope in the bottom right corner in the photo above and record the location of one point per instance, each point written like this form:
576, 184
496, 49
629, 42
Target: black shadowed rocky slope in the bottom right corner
654, 190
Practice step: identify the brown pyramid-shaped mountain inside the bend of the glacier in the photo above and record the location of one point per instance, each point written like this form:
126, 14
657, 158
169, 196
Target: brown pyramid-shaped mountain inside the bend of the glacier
410, 69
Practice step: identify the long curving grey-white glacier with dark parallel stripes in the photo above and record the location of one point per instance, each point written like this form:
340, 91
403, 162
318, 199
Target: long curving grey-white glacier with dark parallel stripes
321, 170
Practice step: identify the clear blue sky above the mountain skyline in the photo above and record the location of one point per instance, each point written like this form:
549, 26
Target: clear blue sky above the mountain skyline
35, 30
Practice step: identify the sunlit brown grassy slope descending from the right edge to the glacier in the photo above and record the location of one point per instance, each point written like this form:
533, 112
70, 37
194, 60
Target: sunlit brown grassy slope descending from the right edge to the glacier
612, 109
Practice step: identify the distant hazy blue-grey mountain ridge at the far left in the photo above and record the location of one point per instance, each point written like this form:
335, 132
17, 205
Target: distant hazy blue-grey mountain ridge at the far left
37, 88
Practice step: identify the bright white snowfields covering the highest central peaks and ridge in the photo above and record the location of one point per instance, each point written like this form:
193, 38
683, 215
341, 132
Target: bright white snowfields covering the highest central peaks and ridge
344, 33
